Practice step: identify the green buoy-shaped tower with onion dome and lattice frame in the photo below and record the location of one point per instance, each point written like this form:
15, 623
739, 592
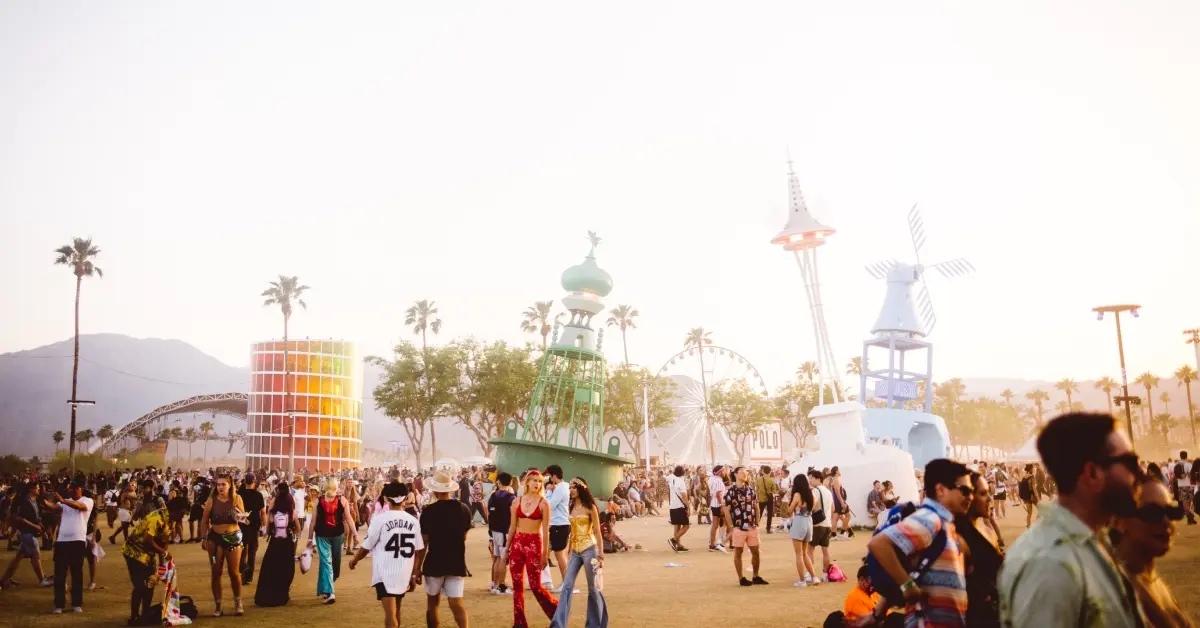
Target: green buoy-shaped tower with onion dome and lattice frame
565, 422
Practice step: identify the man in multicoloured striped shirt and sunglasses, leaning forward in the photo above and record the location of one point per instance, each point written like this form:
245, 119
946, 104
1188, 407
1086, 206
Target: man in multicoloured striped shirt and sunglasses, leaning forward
939, 596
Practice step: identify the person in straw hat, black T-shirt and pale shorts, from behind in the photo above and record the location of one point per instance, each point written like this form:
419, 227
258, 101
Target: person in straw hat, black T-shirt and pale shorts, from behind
445, 527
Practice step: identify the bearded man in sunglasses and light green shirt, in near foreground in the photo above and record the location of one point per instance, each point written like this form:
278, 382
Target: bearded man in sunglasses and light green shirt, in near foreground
1063, 571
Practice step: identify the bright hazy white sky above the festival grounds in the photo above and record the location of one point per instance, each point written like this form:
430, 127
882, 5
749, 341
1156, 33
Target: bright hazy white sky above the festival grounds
460, 152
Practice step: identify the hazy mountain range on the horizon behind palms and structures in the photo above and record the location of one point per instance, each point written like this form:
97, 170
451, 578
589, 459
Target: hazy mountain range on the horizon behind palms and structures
129, 378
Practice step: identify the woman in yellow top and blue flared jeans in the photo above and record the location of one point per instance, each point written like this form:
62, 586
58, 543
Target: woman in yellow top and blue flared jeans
586, 553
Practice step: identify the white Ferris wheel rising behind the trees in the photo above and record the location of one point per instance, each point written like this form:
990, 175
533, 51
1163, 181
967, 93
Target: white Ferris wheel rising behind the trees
697, 373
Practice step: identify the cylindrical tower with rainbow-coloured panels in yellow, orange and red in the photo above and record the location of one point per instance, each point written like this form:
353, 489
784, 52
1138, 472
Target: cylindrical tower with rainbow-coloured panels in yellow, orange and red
325, 397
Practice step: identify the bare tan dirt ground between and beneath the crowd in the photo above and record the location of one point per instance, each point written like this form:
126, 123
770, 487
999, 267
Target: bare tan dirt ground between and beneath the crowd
641, 589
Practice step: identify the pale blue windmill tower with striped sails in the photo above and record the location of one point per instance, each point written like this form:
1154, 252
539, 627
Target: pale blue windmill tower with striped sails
903, 327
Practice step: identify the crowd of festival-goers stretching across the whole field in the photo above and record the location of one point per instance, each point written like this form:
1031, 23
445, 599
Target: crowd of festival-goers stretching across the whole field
1097, 516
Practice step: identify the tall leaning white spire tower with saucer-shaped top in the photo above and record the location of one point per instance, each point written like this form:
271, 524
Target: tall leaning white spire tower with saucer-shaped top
802, 236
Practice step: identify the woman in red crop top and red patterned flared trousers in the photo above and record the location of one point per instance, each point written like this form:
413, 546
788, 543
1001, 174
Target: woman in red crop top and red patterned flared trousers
529, 545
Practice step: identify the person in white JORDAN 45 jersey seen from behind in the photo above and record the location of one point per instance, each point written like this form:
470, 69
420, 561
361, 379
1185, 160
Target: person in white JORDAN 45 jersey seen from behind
394, 542
